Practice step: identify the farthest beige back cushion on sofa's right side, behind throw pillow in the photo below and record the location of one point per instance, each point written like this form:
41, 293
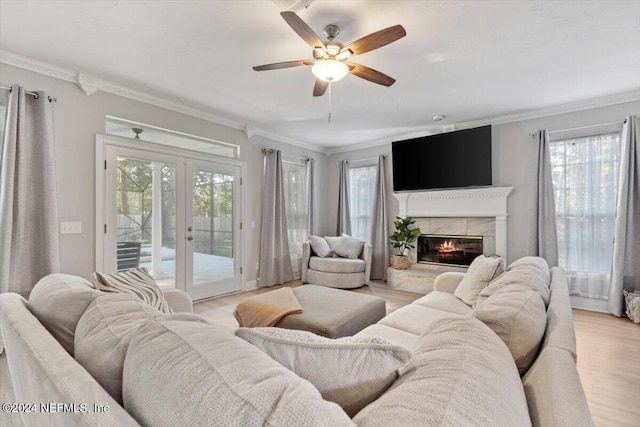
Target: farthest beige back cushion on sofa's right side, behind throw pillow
529, 272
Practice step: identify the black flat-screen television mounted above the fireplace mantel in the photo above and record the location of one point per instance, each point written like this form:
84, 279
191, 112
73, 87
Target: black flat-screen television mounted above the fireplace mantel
446, 160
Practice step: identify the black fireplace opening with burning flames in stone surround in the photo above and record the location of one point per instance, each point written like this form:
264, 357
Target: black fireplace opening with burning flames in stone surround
448, 250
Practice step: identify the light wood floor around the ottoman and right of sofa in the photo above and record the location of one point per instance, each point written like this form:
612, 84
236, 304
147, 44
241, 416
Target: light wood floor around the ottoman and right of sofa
608, 351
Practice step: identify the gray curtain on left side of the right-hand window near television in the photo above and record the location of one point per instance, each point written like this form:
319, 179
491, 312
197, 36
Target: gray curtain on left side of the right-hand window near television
547, 243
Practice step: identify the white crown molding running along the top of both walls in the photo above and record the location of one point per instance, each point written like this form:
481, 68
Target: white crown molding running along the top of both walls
90, 84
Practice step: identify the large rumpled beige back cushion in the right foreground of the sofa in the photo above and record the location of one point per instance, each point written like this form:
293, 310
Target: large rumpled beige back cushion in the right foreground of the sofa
460, 374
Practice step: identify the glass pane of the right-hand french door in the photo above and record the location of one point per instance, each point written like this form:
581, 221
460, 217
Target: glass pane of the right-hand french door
212, 226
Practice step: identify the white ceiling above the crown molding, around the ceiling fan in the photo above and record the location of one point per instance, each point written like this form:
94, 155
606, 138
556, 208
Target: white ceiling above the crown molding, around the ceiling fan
467, 60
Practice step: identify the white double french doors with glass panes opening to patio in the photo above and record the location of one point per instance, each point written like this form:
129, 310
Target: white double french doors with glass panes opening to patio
176, 215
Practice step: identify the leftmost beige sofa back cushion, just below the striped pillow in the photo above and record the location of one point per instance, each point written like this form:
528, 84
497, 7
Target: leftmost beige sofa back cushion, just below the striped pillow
58, 301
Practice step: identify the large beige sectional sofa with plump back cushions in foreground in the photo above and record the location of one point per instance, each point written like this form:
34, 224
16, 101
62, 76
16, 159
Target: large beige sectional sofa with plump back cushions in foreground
466, 365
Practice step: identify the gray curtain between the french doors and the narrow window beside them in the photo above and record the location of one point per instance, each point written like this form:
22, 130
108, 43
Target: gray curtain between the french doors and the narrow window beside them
275, 261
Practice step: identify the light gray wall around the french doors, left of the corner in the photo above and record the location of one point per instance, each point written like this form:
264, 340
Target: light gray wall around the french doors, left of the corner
78, 118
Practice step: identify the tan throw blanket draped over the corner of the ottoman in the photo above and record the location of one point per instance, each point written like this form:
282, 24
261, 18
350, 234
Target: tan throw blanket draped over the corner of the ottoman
267, 309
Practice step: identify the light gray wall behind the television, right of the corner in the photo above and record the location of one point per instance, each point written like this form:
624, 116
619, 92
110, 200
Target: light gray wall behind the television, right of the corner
514, 158
